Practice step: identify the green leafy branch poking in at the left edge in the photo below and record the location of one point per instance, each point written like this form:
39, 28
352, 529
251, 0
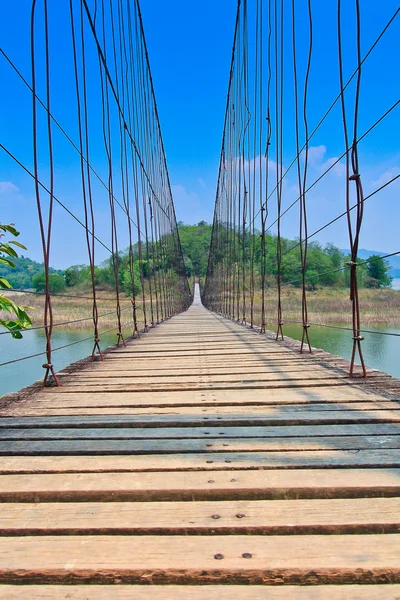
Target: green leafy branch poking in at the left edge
22, 320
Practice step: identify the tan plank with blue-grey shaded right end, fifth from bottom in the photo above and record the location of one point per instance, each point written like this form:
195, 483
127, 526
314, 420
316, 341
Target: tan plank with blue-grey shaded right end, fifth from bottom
194, 462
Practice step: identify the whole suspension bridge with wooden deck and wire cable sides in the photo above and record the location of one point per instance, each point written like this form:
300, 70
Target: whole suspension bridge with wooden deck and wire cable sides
205, 453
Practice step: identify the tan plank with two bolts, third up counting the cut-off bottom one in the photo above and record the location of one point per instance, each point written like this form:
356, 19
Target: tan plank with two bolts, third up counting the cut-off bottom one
265, 517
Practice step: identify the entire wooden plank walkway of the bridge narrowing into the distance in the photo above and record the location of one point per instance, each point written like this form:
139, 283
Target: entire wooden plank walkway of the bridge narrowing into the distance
200, 458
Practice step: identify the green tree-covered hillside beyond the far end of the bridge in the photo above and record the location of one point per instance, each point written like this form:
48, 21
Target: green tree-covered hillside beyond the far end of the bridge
324, 264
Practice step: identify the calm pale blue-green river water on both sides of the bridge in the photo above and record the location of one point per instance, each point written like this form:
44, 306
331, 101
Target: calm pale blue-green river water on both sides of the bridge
380, 351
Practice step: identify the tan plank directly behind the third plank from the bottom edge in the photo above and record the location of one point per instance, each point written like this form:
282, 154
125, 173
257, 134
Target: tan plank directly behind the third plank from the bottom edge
156, 486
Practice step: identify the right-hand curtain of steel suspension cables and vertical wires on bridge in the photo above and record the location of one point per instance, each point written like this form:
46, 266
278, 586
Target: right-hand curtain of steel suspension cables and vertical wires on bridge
274, 93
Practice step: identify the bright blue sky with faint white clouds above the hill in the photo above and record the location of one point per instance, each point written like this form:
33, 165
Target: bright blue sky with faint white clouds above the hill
189, 46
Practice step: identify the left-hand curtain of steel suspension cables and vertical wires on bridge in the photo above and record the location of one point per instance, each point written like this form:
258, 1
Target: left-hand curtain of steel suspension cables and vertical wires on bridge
99, 168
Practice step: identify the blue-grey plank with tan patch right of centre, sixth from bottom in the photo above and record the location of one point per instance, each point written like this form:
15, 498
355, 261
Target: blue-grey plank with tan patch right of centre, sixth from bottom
167, 446
